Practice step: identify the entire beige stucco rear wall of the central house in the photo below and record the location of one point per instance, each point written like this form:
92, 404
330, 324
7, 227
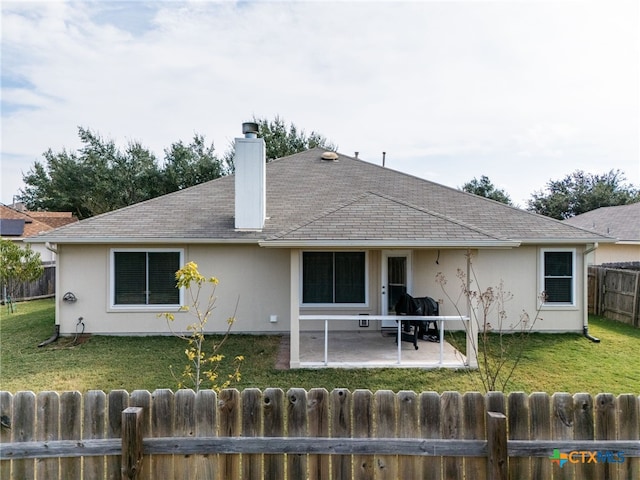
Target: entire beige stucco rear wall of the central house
261, 278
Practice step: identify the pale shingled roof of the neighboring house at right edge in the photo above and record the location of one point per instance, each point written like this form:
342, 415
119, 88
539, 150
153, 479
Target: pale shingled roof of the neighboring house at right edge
621, 222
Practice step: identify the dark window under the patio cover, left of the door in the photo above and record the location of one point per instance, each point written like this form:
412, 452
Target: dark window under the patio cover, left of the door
333, 277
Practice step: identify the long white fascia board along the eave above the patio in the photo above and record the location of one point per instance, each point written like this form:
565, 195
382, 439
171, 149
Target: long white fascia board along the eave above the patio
387, 244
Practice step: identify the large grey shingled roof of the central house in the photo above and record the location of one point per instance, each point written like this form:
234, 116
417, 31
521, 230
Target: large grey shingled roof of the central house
311, 201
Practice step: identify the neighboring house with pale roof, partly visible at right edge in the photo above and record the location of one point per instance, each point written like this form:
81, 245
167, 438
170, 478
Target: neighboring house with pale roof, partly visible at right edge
621, 222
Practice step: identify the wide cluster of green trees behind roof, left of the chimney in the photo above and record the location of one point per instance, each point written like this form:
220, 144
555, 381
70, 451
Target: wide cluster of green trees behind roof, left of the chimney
99, 177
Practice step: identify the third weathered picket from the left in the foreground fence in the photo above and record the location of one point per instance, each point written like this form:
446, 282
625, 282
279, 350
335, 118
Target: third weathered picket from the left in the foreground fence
47, 429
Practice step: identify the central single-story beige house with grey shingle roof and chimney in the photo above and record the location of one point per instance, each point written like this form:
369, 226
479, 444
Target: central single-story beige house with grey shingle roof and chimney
313, 233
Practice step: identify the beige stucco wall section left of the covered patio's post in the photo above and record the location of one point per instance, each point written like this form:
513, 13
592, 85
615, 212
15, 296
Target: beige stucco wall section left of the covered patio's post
259, 276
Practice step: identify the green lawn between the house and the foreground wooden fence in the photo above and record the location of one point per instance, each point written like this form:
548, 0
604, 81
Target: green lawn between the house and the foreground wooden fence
551, 363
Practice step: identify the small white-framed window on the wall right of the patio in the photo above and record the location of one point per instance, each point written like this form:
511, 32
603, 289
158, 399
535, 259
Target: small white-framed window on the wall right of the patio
558, 276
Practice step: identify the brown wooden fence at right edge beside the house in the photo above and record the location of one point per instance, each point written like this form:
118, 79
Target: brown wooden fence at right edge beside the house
615, 293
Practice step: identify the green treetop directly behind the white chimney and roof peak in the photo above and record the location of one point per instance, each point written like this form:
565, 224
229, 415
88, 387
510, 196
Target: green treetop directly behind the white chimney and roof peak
281, 140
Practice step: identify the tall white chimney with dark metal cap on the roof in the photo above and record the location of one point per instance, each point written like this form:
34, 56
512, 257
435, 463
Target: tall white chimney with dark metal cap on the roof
250, 177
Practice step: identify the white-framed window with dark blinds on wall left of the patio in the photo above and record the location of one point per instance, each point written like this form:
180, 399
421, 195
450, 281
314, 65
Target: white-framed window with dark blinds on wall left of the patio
145, 277
